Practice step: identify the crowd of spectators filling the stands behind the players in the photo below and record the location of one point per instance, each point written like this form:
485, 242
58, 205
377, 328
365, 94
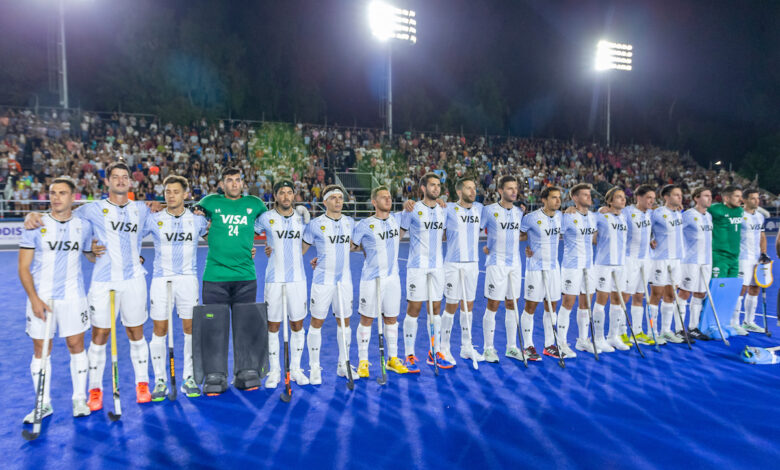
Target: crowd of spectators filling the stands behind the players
37, 146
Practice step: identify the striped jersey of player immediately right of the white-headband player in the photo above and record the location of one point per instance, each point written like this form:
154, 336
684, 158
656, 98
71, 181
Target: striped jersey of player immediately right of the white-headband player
380, 239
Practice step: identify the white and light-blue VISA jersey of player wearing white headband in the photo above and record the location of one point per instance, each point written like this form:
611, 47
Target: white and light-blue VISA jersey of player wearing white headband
331, 238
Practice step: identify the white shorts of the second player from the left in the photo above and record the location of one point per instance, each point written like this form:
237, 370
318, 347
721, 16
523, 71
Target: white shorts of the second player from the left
130, 302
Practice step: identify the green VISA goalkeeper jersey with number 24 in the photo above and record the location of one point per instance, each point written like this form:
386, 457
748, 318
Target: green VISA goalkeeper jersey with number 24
231, 237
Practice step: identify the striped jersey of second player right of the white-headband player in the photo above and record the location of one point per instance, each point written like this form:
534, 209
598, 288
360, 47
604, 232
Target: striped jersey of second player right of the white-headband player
426, 230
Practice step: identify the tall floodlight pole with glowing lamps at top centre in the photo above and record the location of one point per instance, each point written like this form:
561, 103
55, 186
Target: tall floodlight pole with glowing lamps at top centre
388, 22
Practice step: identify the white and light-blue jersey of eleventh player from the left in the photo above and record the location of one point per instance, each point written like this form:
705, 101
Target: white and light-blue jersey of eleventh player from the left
543, 237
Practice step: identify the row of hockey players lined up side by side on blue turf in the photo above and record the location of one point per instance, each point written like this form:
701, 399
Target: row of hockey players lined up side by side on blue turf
612, 254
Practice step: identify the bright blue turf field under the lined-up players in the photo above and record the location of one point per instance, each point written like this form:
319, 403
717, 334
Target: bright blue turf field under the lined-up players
676, 408
